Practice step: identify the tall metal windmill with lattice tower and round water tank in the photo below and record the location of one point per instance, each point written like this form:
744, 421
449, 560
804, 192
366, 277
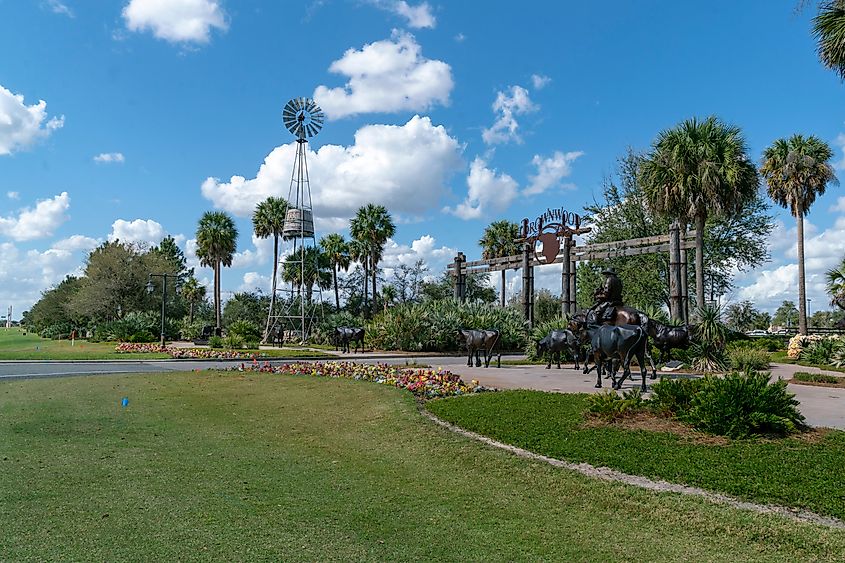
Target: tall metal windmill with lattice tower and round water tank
302, 298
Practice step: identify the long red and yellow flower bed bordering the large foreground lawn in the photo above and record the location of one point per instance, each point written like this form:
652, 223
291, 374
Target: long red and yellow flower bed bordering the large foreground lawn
427, 383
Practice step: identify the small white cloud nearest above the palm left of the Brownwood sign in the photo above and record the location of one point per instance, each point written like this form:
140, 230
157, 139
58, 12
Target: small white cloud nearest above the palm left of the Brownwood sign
487, 192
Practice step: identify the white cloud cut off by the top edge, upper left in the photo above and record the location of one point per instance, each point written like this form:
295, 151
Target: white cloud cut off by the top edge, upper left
176, 21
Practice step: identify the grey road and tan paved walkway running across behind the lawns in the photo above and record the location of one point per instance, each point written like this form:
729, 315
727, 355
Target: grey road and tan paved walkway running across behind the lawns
822, 406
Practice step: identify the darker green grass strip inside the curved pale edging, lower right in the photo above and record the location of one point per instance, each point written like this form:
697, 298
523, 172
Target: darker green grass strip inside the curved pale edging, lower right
791, 472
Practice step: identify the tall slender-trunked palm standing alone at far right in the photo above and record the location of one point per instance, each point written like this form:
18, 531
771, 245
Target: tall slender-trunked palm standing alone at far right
798, 171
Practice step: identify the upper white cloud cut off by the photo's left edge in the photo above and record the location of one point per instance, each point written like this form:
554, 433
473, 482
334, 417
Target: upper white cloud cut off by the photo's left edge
21, 125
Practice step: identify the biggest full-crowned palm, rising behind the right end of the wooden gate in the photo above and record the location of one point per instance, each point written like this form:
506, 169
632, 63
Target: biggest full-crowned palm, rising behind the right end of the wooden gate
696, 170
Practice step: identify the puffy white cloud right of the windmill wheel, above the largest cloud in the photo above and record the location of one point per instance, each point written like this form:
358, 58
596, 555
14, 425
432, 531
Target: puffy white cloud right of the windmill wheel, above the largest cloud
386, 76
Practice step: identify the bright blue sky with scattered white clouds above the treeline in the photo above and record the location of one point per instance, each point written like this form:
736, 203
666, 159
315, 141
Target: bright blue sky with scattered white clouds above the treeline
129, 119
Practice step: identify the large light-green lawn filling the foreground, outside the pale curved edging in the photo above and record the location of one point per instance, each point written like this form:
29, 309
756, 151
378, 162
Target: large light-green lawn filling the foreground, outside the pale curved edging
223, 466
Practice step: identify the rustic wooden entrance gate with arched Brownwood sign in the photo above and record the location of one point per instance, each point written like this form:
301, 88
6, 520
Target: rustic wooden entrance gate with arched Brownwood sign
549, 239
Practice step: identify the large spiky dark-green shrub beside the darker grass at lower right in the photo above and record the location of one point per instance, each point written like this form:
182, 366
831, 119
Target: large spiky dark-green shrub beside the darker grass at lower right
739, 405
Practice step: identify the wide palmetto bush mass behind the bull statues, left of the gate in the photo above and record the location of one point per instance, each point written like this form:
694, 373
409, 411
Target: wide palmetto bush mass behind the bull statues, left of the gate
432, 326
